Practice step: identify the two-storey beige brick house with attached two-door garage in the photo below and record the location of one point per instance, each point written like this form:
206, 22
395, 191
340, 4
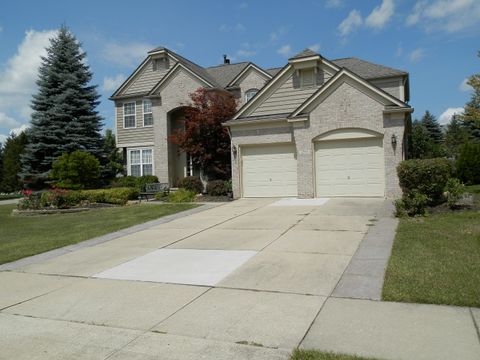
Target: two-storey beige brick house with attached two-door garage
313, 128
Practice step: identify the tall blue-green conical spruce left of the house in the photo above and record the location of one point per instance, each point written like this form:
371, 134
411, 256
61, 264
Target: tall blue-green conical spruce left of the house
64, 118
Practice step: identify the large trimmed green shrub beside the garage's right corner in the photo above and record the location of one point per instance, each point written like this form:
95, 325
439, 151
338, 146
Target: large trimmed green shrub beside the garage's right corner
425, 176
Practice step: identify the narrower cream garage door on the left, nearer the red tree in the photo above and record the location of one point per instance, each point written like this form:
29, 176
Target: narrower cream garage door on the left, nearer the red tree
269, 171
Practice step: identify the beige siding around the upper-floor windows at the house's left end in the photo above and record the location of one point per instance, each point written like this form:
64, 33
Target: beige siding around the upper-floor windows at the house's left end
136, 135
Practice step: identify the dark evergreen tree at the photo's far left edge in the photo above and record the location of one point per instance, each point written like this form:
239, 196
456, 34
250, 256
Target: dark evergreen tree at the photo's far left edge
14, 147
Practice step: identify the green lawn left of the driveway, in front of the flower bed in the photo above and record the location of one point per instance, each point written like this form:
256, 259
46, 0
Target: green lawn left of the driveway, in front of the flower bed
22, 236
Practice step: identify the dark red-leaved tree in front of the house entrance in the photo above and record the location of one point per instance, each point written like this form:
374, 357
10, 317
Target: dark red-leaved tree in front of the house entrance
203, 137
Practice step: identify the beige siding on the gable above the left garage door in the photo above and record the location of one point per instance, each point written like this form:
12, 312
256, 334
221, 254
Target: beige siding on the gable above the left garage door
285, 99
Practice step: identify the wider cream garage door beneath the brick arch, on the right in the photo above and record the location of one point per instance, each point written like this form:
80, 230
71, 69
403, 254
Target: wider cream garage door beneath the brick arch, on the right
350, 167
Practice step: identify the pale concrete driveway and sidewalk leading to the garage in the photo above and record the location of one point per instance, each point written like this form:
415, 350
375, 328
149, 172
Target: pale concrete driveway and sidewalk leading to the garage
246, 280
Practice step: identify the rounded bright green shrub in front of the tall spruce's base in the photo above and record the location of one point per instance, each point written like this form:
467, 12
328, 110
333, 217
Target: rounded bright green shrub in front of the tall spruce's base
77, 170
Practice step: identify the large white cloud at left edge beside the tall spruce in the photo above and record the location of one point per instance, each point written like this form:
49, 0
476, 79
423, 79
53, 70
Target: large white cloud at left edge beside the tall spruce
18, 76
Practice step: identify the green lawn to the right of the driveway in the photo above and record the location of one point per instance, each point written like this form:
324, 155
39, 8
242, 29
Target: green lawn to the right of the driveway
436, 260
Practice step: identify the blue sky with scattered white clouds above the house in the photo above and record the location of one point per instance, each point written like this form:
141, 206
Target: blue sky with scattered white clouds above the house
436, 41
